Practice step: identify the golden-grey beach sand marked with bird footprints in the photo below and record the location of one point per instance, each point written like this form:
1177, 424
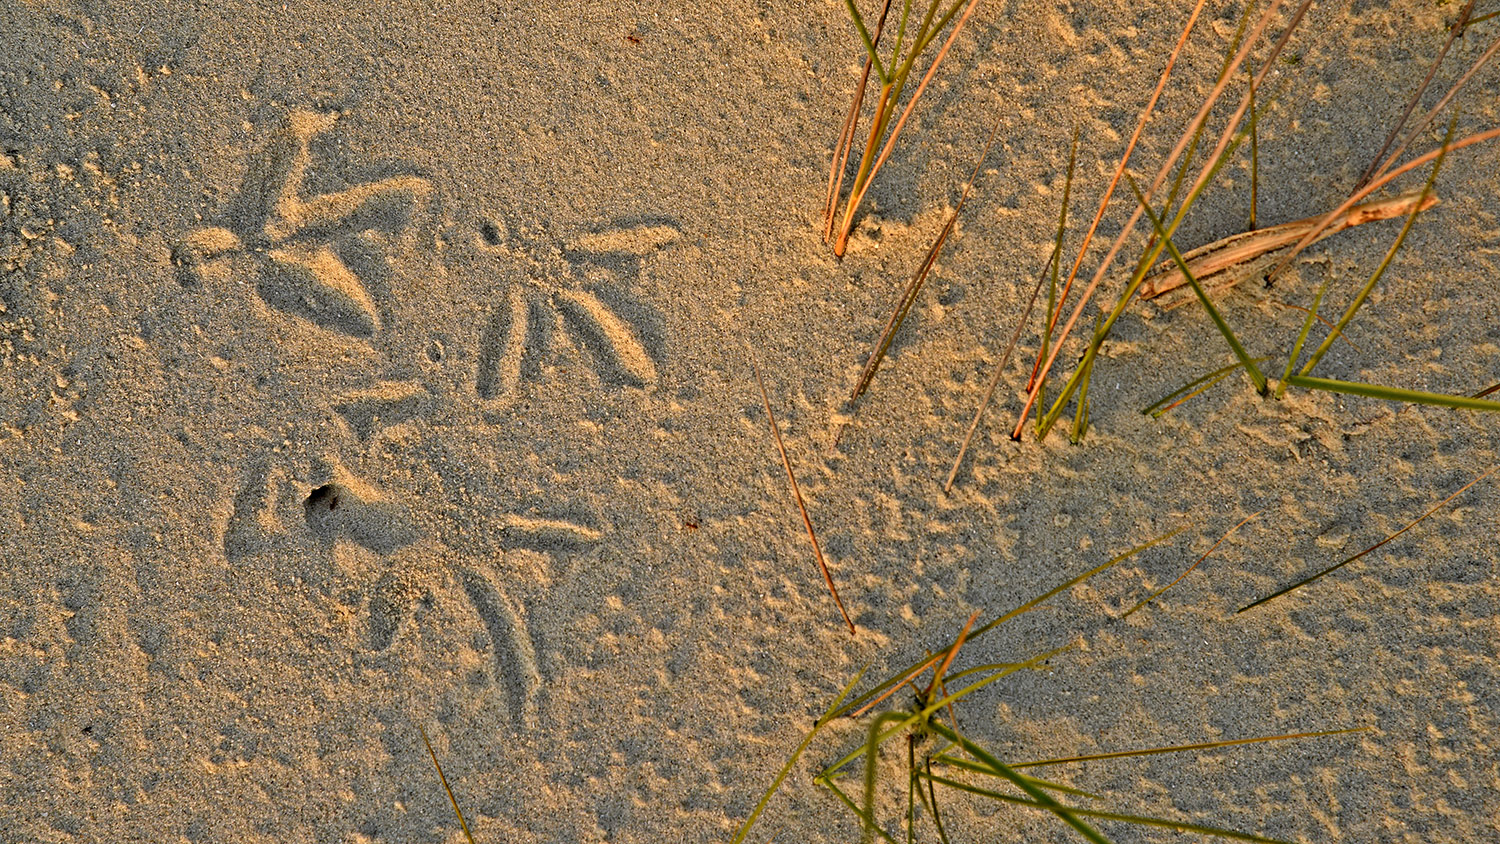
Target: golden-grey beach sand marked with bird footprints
373, 370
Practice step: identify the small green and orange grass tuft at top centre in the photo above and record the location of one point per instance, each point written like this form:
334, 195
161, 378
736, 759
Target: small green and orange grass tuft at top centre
895, 85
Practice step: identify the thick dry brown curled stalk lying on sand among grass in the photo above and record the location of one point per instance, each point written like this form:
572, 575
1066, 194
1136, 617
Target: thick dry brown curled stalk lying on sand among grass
1241, 250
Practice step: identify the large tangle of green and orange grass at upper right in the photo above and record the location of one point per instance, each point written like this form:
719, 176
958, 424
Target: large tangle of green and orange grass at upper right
1241, 128
